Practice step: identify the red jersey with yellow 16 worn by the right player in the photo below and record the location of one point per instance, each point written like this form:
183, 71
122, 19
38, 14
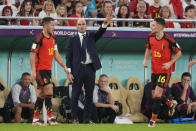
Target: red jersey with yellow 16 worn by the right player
161, 52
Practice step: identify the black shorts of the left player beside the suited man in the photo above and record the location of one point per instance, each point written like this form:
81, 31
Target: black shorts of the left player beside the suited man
43, 78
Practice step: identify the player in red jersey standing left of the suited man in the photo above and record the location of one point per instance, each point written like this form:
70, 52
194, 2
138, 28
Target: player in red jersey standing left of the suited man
43, 50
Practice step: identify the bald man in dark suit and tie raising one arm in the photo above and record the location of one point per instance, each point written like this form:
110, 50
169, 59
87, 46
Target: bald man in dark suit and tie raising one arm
83, 61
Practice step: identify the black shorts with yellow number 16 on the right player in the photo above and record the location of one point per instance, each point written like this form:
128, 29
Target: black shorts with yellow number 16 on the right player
160, 80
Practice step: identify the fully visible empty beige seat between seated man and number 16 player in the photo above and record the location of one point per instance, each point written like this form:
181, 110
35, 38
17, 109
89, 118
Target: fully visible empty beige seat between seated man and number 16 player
135, 93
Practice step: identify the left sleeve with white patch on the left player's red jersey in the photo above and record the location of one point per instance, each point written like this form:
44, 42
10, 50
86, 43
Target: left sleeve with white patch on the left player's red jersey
36, 44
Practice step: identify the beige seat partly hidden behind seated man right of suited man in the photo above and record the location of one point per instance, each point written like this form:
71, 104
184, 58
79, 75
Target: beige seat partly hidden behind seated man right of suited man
119, 93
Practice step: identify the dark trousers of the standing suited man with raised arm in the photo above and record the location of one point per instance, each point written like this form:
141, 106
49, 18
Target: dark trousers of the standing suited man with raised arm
85, 77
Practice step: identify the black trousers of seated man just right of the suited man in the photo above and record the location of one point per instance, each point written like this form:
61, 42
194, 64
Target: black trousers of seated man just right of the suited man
108, 113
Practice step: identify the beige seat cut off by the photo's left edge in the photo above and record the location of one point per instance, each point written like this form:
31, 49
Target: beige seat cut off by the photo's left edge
3, 96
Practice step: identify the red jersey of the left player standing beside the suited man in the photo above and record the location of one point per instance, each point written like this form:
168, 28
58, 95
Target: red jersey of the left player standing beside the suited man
44, 48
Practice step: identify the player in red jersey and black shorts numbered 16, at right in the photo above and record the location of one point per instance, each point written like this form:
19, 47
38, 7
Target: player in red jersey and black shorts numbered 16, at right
161, 46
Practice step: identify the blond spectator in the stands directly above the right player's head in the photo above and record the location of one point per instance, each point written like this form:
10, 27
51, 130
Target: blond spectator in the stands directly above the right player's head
166, 14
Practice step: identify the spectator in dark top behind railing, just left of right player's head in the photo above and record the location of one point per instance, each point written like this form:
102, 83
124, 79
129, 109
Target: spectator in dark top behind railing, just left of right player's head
141, 14
